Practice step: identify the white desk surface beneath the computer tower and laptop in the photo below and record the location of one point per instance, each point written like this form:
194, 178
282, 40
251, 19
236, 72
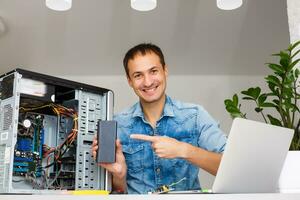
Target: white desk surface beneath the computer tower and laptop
274, 196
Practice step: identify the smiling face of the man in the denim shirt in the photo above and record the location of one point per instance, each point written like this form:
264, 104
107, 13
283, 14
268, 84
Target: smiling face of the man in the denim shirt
147, 77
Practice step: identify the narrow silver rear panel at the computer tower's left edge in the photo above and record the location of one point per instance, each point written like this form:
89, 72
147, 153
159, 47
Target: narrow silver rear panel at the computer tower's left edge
9, 110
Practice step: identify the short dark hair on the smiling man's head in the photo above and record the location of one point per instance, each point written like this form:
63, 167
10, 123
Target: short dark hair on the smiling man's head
143, 49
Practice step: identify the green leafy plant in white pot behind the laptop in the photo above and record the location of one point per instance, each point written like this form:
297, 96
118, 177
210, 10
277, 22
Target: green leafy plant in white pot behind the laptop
282, 99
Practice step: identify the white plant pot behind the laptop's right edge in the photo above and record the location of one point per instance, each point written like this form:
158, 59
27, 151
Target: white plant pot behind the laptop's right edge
289, 181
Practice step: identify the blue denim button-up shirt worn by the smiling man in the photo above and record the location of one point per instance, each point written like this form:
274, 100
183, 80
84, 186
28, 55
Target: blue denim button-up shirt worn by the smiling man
185, 122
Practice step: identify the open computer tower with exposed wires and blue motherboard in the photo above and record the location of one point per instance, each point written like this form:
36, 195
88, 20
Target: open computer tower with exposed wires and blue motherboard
47, 125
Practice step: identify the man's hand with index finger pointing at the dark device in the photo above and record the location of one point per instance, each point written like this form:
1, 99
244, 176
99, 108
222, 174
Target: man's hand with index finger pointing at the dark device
164, 147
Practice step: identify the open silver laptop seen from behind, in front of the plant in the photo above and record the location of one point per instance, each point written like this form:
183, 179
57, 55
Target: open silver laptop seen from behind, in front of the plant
253, 158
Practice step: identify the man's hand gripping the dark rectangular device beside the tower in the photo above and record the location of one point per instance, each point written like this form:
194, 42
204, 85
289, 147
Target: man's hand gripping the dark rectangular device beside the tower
119, 168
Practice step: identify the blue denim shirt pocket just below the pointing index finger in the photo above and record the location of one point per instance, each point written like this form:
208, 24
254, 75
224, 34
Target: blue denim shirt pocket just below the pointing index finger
134, 155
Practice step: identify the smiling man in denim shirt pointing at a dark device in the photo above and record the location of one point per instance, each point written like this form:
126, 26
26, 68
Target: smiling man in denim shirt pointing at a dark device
161, 141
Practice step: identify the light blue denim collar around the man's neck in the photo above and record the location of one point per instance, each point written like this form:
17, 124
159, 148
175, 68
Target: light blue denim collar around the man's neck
168, 109
